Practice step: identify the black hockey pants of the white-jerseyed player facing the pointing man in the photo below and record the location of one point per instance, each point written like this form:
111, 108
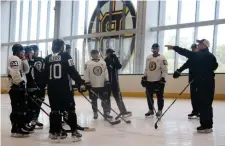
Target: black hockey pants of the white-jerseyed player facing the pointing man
155, 87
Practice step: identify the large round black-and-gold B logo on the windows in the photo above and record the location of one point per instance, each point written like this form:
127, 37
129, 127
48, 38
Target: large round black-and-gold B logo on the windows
111, 16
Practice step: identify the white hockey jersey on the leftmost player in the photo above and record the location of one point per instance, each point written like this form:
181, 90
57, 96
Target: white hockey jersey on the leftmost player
17, 69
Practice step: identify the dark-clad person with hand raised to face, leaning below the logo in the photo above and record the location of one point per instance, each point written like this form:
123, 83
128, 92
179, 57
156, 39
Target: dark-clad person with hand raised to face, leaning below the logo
113, 65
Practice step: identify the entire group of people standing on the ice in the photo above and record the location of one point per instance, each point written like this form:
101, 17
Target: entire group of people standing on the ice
30, 75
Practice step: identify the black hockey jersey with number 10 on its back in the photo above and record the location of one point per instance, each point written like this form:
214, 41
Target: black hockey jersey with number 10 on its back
59, 69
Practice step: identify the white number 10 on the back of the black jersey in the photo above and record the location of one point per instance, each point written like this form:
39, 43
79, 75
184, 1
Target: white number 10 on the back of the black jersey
55, 71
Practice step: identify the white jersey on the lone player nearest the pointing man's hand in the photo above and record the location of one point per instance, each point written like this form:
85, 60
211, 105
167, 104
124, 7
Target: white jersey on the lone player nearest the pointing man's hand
156, 68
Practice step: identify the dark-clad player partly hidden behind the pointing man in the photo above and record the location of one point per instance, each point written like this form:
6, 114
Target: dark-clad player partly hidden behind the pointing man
194, 100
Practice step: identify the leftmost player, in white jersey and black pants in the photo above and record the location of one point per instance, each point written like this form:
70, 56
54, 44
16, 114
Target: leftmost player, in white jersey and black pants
17, 67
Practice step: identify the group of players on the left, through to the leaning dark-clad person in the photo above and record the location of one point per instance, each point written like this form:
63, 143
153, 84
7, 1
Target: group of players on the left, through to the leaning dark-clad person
30, 75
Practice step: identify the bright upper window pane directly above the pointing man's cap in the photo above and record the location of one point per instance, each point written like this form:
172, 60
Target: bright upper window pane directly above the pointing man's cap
207, 10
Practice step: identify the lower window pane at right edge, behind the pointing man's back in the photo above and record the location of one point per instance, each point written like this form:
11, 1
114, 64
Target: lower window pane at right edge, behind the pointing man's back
220, 49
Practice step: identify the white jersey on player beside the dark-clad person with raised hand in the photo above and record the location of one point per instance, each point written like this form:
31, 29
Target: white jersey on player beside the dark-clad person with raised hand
96, 73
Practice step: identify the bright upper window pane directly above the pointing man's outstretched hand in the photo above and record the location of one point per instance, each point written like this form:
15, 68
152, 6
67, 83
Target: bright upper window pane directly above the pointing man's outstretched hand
171, 12
